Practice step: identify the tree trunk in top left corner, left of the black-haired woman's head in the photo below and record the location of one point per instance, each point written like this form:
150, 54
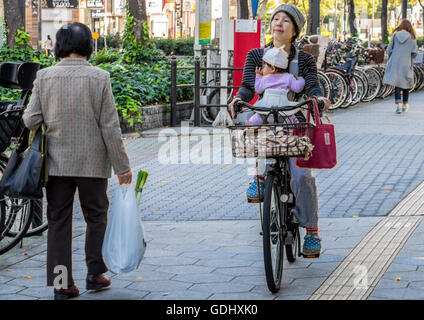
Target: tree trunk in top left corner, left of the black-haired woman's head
14, 15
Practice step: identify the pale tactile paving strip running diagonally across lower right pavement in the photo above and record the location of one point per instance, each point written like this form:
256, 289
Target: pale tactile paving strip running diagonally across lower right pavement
358, 274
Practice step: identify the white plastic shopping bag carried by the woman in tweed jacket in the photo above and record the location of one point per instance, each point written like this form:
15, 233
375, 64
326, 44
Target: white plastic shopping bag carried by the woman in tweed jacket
124, 245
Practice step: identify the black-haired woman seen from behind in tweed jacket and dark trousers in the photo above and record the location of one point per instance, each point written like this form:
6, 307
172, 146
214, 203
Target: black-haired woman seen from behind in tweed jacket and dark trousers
75, 101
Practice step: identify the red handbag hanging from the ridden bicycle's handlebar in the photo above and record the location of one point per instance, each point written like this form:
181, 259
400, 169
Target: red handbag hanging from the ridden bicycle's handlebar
324, 154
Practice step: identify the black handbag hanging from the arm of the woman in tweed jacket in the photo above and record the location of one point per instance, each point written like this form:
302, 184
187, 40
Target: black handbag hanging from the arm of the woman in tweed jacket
25, 172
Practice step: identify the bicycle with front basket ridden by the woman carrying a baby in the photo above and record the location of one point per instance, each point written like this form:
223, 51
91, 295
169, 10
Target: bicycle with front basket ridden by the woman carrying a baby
280, 228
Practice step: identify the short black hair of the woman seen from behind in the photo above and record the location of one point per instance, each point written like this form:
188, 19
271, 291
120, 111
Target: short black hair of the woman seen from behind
73, 38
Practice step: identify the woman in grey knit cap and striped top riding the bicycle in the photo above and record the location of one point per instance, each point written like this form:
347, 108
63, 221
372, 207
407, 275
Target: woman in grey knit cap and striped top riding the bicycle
286, 23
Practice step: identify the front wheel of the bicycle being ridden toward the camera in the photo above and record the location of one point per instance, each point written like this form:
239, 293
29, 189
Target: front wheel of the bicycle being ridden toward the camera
273, 244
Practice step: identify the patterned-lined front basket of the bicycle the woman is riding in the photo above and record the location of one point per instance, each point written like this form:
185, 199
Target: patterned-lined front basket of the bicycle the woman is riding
272, 141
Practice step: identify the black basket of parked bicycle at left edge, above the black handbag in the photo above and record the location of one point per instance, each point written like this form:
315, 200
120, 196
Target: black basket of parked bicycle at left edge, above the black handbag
11, 123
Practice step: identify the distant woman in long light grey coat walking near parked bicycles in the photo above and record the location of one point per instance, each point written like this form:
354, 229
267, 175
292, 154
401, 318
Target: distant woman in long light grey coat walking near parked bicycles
399, 72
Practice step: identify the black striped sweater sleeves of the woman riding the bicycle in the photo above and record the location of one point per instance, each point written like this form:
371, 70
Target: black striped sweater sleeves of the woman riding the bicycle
307, 70
